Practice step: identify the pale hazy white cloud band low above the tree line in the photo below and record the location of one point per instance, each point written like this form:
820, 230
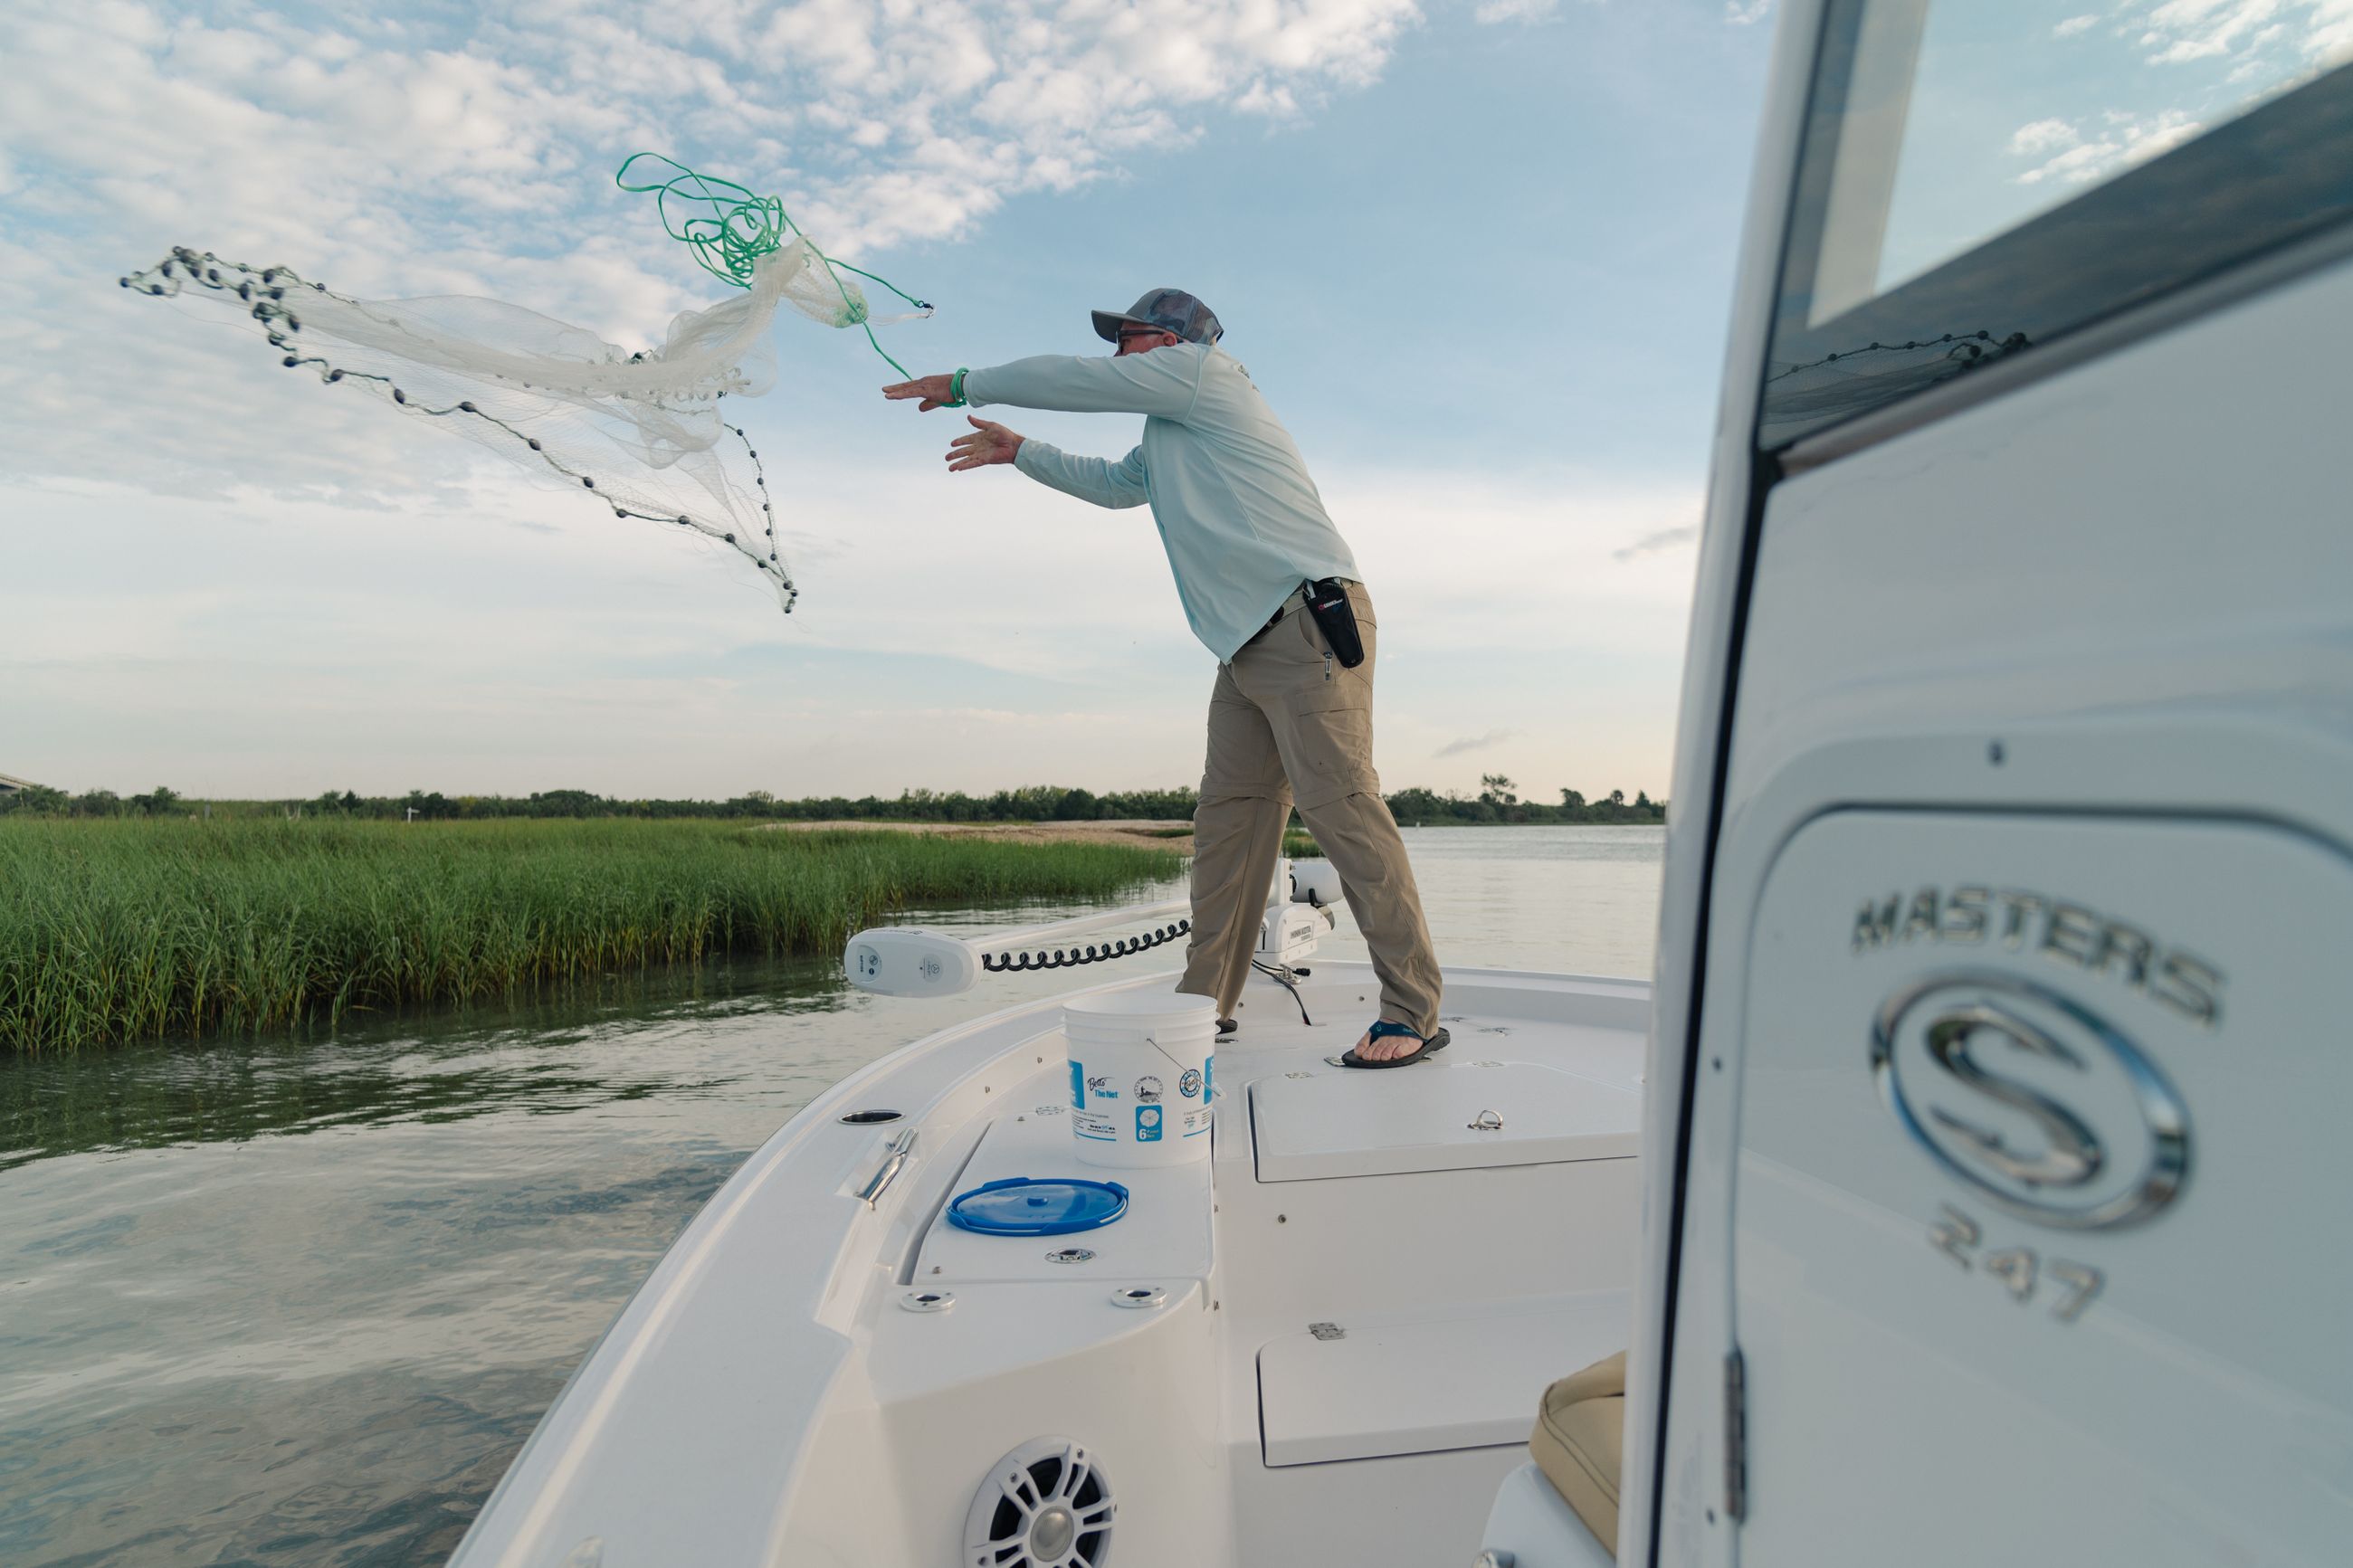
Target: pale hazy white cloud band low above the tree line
429, 645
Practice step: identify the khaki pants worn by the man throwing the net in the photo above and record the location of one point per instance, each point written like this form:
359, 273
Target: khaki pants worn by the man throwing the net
1288, 723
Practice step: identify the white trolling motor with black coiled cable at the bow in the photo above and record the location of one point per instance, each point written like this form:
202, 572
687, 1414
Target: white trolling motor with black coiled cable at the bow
926, 963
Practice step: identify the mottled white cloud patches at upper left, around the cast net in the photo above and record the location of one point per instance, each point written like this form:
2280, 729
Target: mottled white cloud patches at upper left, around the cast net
396, 152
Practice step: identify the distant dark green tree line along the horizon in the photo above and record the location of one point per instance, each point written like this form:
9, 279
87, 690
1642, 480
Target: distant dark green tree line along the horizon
1495, 803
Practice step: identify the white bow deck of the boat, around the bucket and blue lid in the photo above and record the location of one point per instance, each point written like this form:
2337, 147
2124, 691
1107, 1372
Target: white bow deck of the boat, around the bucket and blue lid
1324, 1343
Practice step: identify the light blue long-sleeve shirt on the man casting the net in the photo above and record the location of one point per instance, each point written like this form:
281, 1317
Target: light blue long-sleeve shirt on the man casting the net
1229, 492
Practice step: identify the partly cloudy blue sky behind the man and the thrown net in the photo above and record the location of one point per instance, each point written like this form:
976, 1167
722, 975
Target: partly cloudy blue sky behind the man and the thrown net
1479, 257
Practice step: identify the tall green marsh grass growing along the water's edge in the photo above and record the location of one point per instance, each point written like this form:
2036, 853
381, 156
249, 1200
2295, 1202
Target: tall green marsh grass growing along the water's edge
138, 927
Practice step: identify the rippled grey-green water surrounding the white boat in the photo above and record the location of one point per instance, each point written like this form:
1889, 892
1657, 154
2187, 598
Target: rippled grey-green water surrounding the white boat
300, 1304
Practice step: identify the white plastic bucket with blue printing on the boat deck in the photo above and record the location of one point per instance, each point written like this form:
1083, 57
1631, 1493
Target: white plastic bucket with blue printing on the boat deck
1140, 1078
